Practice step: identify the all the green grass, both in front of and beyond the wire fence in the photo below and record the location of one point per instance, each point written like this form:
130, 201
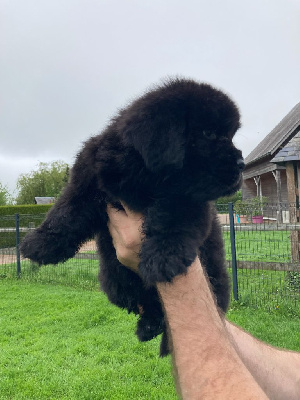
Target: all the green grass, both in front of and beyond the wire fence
60, 342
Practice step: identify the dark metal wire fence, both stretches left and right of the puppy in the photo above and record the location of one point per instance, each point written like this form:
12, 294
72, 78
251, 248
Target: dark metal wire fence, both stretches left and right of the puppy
263, 258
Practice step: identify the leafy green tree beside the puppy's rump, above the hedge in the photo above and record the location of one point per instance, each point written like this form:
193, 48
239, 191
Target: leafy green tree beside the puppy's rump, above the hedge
47, 181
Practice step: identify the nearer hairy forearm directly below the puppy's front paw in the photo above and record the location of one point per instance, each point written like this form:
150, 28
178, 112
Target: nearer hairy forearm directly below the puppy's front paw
205, 362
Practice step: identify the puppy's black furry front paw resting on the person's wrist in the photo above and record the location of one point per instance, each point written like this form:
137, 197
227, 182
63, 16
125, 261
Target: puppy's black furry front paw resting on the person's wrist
163, 259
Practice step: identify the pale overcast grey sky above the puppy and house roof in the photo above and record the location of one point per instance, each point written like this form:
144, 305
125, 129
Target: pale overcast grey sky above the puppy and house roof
68, 65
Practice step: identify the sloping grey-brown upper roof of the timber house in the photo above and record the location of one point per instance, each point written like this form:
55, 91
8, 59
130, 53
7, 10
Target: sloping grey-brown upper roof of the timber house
278, 137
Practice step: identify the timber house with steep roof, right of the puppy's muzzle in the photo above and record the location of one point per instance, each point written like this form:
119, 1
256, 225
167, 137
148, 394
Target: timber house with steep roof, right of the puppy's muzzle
273, 167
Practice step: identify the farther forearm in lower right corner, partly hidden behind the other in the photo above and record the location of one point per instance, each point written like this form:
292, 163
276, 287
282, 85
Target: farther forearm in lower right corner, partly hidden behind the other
277, 371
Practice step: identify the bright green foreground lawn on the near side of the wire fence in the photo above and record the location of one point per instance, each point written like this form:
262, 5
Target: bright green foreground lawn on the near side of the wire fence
67, 343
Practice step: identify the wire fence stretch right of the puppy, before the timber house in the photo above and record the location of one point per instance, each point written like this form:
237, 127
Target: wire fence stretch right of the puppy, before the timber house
267, 254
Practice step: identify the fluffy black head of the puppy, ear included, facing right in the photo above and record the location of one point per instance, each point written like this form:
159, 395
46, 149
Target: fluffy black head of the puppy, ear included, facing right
187, 127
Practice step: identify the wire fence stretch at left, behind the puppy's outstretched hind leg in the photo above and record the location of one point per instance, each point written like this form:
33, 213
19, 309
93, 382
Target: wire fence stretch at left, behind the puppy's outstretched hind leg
80, 271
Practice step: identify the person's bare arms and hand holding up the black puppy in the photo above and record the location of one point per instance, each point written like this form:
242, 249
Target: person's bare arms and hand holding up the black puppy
212, 362
